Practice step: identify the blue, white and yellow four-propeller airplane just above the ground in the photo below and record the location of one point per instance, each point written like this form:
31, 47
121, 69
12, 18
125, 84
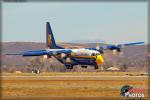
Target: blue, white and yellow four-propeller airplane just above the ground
71, 57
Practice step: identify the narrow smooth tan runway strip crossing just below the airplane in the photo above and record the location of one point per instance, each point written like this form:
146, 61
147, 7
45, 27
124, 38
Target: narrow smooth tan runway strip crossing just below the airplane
73, 77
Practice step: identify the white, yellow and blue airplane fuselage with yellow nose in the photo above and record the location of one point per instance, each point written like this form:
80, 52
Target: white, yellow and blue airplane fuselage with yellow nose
78, 57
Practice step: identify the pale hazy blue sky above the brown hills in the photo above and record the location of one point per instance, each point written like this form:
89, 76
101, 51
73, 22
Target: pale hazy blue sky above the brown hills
113, 22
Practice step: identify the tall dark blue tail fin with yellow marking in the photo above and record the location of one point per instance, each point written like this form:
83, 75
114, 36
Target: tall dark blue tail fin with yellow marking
50, 41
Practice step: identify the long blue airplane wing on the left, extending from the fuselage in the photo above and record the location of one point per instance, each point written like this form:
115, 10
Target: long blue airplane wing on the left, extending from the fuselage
43, 52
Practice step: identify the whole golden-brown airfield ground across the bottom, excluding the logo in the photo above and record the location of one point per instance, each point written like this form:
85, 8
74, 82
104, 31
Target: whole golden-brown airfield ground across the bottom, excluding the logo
69, 85
